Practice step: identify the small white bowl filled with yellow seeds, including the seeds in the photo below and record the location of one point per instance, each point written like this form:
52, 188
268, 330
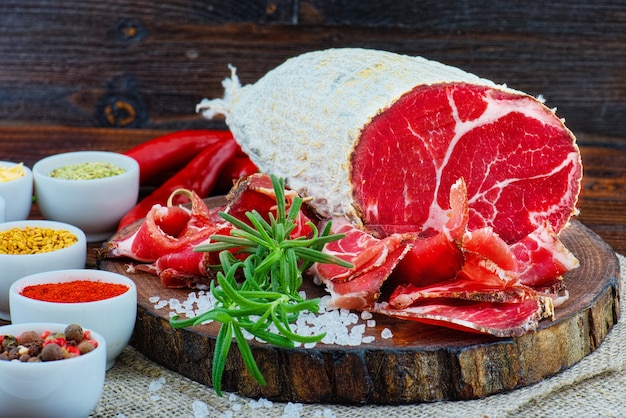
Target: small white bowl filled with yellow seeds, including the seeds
34, 246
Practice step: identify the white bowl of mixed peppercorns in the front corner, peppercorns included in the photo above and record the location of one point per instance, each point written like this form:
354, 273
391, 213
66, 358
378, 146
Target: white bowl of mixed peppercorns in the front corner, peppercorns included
44, 373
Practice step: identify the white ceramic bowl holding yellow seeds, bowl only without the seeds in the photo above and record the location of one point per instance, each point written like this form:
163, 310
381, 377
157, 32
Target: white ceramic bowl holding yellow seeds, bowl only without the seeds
16, 266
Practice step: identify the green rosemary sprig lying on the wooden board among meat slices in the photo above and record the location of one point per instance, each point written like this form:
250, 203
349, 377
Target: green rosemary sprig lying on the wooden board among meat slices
265, 297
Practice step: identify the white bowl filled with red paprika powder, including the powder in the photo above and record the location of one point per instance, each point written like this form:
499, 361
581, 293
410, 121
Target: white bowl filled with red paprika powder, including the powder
103, 301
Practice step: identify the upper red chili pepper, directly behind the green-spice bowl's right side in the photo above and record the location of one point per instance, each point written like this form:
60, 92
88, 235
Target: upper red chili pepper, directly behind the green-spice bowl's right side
171, 151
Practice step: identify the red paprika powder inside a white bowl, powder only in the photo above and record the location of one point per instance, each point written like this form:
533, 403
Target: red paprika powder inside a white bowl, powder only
76, 291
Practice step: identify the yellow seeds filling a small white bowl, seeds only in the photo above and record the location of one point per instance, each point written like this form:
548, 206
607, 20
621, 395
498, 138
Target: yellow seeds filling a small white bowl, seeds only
34, 240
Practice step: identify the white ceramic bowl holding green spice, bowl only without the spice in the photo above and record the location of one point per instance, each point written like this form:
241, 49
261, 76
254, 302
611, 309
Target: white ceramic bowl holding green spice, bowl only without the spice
95, 206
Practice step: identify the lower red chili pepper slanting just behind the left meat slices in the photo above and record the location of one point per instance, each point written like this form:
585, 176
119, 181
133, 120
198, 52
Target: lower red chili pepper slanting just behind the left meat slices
199, 175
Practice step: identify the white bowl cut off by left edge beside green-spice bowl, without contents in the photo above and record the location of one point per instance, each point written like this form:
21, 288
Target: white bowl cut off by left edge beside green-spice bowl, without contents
17, 194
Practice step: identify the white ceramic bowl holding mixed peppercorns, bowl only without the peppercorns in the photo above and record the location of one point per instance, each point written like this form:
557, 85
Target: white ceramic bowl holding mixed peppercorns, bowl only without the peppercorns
63, 388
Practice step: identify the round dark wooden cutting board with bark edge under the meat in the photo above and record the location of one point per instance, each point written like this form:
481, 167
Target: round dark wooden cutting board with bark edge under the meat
420, 363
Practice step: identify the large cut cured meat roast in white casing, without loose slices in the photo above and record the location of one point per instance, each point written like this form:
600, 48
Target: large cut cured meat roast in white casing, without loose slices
380, 138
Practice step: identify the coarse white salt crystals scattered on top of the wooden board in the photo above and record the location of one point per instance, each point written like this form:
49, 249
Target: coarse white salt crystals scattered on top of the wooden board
341, 326
